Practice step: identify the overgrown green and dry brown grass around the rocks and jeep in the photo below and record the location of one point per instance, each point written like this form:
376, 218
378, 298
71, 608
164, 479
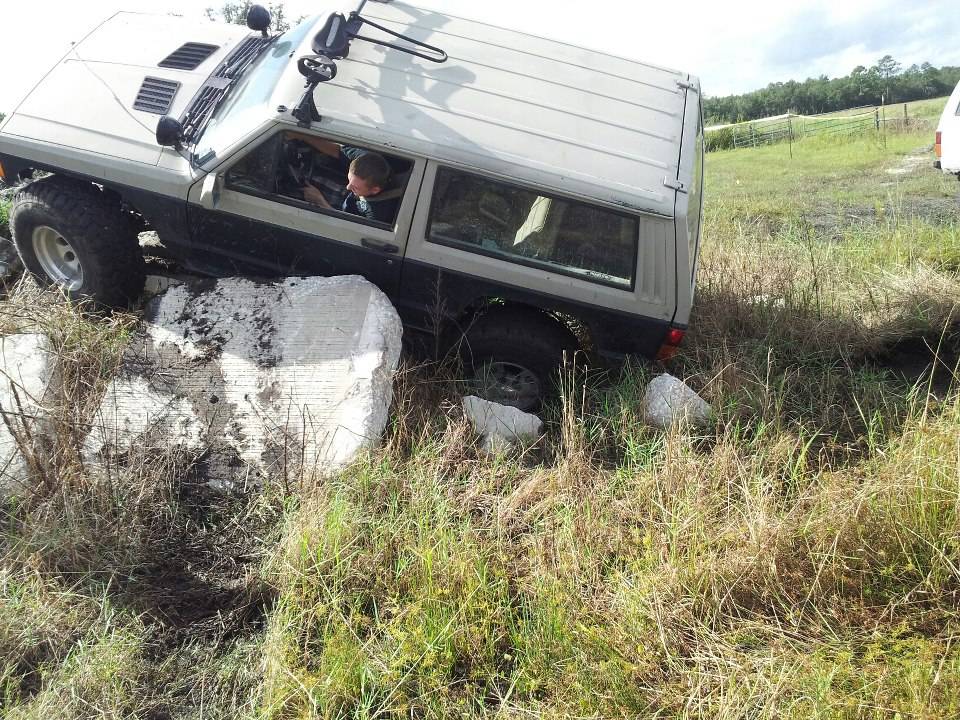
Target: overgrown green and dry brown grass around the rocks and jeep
800, 559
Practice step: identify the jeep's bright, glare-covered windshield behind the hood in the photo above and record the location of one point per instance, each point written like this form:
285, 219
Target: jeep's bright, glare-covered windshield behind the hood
243, 108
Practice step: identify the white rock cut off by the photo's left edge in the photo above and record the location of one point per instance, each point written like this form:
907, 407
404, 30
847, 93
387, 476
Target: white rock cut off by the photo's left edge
26, 373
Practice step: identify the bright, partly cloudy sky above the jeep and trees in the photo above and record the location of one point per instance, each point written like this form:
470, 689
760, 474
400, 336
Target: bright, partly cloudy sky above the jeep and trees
733, 46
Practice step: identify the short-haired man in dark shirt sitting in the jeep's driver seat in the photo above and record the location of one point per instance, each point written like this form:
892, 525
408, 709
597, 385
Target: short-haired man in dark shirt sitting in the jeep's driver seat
368, 174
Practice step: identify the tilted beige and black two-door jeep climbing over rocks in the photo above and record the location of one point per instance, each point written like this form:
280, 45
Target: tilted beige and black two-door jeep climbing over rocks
538, 196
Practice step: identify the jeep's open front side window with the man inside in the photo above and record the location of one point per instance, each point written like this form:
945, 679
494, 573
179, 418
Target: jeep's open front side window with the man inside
324, 176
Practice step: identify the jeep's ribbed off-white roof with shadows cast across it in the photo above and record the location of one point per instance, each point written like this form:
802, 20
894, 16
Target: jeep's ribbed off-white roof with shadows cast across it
560, 116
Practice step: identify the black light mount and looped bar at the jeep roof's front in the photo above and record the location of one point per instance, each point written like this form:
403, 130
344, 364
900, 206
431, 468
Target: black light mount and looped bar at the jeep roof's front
332, 43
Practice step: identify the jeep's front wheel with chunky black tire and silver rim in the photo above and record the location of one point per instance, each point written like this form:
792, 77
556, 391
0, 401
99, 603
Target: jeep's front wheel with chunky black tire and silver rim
69, 234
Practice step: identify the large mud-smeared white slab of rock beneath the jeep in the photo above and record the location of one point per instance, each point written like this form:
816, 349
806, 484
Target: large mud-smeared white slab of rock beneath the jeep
251, 379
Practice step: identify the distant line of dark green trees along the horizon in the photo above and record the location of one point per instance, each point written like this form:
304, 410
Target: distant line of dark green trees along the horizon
886, 82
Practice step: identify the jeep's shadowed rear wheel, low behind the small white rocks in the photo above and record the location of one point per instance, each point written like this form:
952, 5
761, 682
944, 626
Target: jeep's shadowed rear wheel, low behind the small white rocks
513, 357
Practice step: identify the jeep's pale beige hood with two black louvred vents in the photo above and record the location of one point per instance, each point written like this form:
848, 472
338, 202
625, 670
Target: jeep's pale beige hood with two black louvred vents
89, 101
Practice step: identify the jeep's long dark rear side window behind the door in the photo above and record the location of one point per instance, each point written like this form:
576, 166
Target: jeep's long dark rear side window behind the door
519, 225
